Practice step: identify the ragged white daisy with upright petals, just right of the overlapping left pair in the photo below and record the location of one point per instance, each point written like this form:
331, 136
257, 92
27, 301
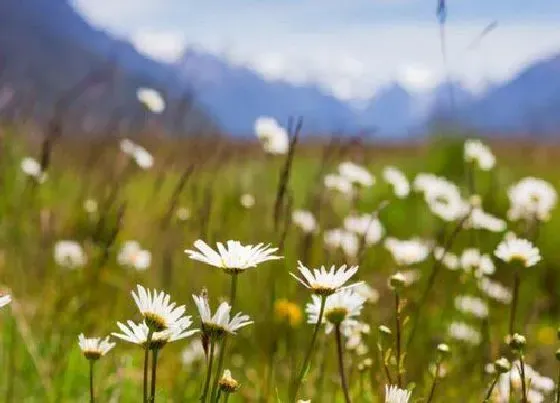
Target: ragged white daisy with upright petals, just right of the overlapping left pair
221, 322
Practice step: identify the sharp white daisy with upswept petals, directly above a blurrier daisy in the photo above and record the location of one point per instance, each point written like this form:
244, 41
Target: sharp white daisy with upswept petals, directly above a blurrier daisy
325, 282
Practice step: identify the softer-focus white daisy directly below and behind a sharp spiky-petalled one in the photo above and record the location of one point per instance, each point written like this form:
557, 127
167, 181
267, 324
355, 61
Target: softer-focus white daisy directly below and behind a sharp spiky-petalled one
344, 305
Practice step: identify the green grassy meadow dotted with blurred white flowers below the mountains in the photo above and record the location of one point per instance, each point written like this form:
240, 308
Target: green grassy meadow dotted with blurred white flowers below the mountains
432, 314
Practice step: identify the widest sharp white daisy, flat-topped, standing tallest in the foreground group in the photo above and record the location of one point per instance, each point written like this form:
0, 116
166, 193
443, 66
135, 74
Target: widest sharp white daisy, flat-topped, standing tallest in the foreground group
234, 258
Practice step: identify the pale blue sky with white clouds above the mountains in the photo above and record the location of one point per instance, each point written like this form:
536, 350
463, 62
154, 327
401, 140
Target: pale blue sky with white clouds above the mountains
352, 48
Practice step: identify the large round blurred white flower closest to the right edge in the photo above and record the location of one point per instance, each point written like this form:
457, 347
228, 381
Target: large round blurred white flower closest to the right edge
530, 199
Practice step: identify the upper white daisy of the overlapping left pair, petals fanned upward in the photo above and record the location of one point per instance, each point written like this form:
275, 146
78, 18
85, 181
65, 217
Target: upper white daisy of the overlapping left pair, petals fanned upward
159, 314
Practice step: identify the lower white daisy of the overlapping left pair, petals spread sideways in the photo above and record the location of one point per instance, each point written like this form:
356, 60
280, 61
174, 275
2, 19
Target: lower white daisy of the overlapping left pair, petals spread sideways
137, 333
